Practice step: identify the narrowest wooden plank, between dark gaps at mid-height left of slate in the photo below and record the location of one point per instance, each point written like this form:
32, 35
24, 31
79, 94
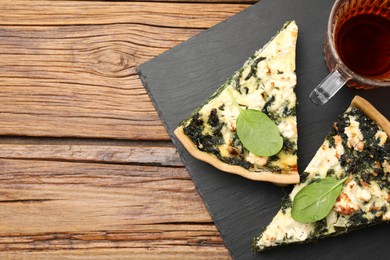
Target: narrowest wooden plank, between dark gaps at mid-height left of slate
149, 154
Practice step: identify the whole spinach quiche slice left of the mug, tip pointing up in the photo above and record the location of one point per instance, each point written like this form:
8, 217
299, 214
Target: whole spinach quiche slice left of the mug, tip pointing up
266, 82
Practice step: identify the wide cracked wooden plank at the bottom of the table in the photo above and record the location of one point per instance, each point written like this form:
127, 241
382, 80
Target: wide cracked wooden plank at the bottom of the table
50, 207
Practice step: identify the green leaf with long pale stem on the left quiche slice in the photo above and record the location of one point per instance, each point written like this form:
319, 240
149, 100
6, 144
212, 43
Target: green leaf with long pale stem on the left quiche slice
257, 132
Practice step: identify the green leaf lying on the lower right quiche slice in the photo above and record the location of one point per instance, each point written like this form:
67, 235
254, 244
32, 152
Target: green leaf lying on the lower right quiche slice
314, 201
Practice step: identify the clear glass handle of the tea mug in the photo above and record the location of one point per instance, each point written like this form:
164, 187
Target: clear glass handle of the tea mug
327, 88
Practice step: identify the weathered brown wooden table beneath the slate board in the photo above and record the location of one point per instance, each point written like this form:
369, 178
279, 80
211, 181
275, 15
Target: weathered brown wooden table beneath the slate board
86, 167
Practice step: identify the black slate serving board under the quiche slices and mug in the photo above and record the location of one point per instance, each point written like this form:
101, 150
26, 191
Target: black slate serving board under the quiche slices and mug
179, 80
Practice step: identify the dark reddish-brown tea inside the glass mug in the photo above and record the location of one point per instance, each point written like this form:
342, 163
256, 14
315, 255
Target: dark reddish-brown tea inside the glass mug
363, 43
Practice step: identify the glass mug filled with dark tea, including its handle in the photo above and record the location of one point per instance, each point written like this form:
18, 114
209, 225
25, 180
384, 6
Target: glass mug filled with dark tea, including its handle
357, 47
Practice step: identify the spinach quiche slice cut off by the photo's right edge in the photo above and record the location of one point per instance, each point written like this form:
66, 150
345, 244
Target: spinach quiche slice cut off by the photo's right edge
356, 149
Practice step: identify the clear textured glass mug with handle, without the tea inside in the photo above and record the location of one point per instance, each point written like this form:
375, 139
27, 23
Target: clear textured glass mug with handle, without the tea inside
340, 73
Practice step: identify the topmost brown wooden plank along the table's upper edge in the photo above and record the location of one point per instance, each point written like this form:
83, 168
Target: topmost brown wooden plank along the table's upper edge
160, 14
